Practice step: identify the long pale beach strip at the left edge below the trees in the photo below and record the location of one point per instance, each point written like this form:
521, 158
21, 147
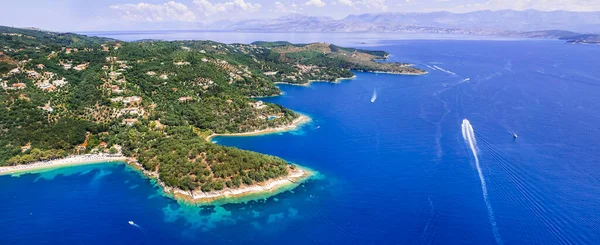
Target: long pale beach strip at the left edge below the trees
63, 162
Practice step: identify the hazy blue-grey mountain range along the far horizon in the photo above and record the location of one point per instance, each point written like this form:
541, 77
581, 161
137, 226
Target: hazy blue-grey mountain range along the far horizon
527, 23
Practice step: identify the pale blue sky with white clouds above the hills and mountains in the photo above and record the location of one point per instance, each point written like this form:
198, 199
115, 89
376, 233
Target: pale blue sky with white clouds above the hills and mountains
88, 15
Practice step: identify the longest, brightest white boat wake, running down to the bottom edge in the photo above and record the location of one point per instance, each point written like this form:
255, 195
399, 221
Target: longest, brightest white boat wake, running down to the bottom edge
469, 136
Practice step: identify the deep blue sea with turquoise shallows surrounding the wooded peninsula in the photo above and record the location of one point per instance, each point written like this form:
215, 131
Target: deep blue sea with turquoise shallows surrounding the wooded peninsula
395, 171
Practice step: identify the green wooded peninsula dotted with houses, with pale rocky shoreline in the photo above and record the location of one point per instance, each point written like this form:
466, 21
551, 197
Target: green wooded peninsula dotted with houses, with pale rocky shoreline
69, 99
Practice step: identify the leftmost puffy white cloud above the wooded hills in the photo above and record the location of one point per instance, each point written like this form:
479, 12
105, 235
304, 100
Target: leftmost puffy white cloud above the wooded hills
169, 11
